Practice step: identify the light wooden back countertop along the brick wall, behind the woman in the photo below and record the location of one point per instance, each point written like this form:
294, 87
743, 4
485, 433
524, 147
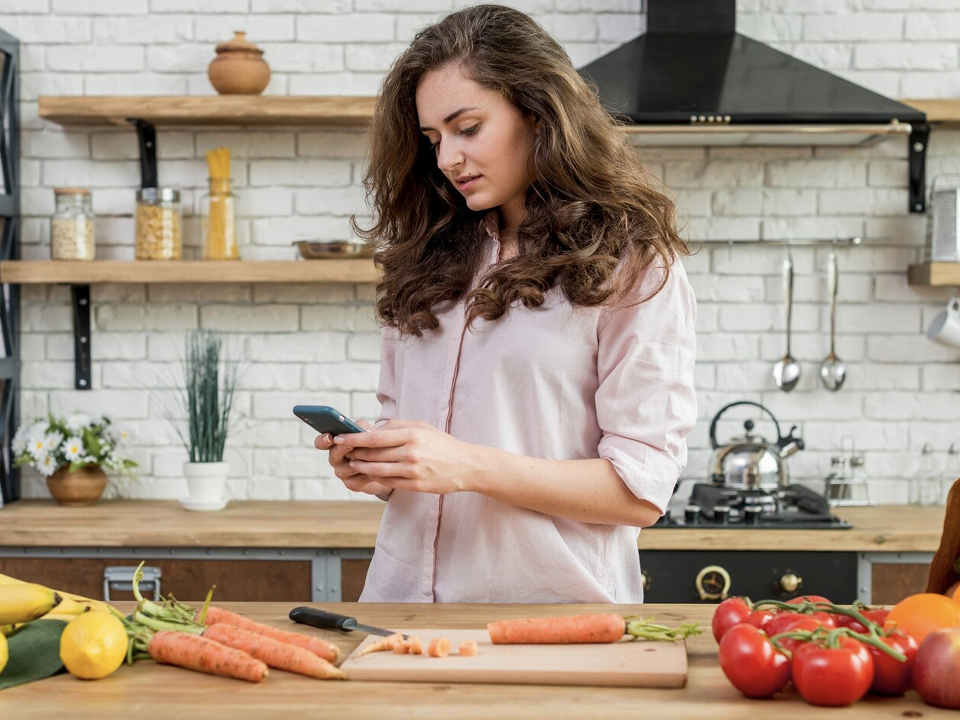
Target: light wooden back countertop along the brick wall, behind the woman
262, 524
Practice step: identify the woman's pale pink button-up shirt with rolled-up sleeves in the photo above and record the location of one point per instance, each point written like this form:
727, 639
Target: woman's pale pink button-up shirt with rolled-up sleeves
559, 382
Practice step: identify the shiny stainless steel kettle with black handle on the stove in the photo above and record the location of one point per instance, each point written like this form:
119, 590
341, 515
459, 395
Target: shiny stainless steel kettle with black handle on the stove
750, 462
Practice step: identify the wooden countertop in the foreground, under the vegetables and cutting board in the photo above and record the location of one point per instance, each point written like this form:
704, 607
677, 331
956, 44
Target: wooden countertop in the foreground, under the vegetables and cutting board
147, 690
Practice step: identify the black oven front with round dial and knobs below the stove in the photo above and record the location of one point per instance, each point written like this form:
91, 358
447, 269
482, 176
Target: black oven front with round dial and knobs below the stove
702, 576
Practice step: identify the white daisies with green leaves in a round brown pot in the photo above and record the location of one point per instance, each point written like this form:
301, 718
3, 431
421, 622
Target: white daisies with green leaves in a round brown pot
73, 453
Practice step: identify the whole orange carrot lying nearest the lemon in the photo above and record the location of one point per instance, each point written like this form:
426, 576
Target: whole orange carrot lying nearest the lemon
194, 652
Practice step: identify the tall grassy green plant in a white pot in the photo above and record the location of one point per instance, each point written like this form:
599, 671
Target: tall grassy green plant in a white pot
210, 385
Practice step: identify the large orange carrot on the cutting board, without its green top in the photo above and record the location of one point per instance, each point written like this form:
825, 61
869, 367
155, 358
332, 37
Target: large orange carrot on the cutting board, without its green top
596, 628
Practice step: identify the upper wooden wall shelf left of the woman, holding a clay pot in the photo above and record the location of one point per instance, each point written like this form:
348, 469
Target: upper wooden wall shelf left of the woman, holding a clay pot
208, 110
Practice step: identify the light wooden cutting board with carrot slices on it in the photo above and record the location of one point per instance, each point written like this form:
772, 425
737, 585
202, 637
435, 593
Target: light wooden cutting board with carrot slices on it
625, 663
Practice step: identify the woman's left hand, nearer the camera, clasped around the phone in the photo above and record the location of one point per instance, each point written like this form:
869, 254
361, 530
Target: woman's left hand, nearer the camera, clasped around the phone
410, 455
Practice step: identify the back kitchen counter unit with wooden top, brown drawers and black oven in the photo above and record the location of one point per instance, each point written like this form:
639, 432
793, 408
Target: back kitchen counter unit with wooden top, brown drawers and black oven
321, 550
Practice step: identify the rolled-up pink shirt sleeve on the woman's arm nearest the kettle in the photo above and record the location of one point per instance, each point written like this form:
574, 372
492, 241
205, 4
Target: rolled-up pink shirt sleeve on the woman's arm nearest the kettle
646, 402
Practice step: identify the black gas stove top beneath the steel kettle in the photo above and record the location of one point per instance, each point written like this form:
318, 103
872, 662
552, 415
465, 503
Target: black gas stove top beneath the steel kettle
793, 507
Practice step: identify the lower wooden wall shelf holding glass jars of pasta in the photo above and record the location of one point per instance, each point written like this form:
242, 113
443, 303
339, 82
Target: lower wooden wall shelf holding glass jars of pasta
31, 272
